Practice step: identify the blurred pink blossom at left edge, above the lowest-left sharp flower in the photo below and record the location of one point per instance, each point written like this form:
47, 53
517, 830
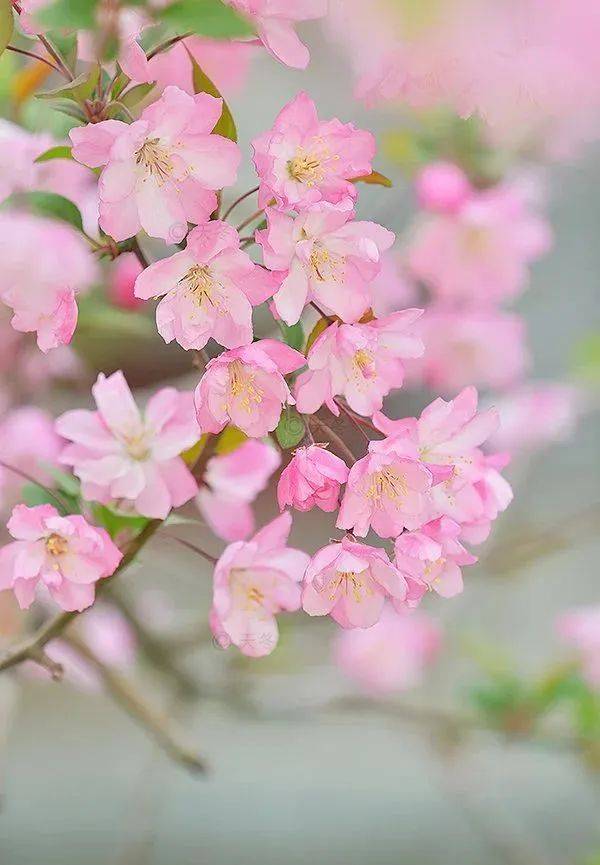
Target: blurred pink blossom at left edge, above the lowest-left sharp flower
27, 441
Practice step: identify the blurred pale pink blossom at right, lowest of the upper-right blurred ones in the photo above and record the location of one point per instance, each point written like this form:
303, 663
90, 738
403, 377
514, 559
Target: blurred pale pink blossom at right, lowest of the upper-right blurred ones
536, 414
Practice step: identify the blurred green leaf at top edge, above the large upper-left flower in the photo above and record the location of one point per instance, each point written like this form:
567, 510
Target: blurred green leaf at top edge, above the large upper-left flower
207, 18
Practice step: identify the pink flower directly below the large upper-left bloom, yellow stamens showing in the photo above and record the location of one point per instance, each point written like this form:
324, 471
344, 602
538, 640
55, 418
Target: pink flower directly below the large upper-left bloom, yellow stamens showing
210, 289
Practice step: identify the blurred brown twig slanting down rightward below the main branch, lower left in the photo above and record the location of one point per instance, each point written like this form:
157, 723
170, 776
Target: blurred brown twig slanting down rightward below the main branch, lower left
153, 721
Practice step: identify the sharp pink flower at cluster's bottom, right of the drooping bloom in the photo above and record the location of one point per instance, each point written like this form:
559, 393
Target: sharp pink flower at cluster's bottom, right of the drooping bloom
350, 581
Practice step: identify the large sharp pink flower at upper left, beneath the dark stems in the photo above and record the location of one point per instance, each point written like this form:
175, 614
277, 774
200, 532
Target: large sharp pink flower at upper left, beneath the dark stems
160, 172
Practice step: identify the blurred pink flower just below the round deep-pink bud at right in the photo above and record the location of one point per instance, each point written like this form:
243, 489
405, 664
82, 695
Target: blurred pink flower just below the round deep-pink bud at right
481, 252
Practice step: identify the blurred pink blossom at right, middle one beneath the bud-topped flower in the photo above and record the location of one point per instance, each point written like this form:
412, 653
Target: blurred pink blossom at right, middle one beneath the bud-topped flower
486, 348
